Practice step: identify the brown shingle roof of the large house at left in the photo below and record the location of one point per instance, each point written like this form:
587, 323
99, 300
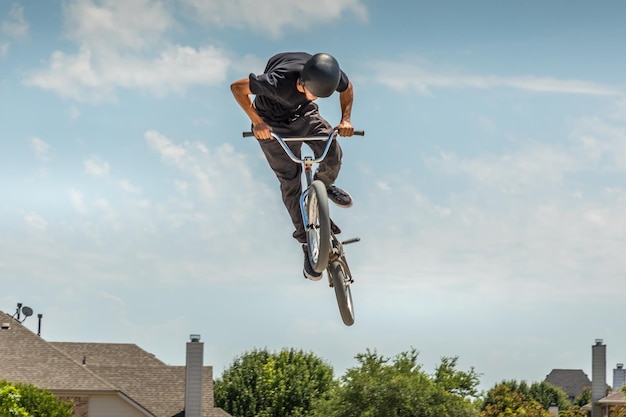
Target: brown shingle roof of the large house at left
125, 368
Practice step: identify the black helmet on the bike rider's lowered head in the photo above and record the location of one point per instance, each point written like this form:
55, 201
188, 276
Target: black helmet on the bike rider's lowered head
321, 75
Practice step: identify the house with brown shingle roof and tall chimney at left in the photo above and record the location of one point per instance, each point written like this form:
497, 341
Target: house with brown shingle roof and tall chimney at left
105, 380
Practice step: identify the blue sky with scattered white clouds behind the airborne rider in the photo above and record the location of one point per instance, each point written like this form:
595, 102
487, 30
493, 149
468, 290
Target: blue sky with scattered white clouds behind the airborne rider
489, 190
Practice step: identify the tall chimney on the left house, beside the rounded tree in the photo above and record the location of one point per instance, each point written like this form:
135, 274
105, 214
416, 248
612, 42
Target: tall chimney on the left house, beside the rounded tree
193, 377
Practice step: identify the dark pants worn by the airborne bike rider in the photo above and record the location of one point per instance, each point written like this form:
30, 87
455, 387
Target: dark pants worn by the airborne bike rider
310, 123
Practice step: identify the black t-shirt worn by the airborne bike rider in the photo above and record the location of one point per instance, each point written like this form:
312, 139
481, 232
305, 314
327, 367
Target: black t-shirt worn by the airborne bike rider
277, 96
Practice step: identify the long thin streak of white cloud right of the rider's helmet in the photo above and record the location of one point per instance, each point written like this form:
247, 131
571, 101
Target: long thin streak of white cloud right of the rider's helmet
418, 76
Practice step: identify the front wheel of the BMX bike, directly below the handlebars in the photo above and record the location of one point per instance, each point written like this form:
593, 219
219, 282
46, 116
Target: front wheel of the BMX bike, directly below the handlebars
318, 229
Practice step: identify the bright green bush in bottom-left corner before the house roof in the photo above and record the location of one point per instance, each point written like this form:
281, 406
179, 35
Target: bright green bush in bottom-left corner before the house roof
25, 400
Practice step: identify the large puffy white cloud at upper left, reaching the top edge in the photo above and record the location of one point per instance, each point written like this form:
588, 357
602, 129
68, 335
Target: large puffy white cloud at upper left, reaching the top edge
123, 45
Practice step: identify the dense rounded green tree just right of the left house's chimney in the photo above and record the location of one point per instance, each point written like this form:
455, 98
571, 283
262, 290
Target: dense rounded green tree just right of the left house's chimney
273, 384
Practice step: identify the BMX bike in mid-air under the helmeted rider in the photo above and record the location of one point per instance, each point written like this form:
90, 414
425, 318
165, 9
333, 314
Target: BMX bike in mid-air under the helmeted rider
325, 250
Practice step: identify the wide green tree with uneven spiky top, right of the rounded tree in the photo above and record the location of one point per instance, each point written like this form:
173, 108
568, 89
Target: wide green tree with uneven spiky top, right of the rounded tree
398, 387
